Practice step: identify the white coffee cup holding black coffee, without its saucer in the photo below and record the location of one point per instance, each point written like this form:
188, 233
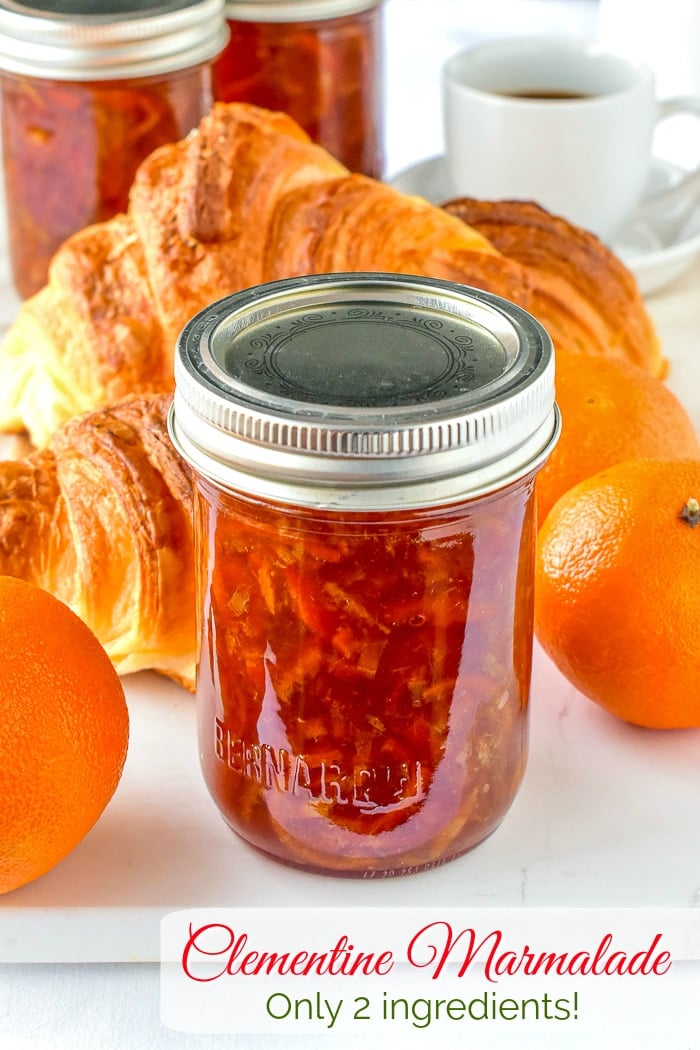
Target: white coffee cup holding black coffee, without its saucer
560, 121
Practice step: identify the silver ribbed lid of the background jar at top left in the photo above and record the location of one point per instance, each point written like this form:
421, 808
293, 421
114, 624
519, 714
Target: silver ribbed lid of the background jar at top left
87, 40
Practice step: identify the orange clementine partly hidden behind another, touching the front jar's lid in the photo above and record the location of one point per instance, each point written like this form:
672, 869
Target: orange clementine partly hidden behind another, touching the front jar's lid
611, 411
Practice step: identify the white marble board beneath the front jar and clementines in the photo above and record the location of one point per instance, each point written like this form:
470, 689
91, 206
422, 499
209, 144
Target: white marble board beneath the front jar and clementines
603, 808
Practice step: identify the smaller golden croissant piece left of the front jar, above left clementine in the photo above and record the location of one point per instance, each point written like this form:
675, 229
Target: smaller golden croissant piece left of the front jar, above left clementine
102, 518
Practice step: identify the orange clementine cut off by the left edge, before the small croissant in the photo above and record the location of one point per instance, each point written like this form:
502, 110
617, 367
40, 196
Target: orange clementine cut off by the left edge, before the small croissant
63, 731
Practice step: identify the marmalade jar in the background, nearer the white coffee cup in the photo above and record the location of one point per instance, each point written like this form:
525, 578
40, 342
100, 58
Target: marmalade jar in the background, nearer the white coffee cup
321, 61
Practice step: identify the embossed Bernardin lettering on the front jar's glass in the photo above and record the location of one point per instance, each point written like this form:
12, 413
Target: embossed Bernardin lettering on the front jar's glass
278, 769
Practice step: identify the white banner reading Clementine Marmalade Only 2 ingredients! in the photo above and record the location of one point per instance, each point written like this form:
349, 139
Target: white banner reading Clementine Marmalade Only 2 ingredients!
538, 977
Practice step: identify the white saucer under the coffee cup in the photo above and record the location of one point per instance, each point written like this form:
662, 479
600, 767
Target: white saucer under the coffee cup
654, 265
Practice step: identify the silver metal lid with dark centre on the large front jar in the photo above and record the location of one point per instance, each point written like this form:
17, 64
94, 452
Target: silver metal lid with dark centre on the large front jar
364, 391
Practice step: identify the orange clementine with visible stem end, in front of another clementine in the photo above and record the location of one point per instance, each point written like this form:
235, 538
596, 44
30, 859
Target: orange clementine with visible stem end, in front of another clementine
618, 602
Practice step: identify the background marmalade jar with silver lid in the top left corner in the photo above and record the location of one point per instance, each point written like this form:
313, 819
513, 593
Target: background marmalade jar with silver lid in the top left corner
89, 90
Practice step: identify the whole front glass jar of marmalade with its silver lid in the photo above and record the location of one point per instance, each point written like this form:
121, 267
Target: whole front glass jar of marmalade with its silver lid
365, 450
